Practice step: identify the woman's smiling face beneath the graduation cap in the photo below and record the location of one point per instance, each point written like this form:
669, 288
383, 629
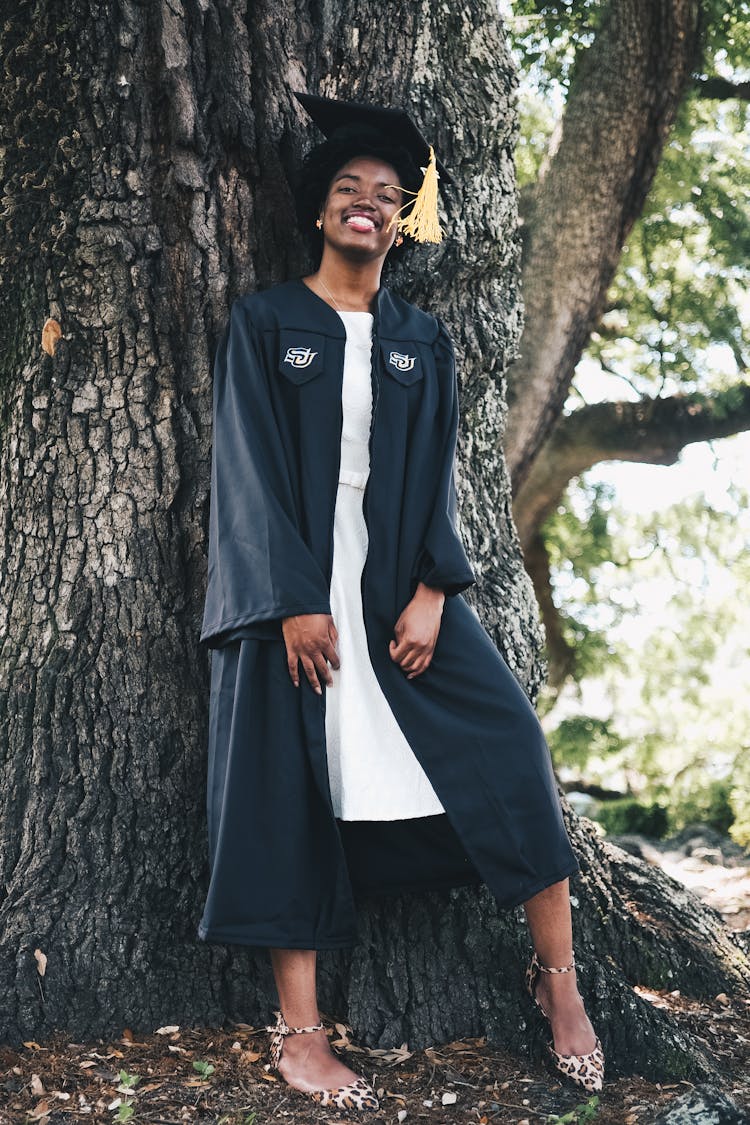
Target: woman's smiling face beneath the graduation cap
359, 206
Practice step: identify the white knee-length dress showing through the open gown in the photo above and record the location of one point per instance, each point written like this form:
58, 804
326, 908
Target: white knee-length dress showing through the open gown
374, 772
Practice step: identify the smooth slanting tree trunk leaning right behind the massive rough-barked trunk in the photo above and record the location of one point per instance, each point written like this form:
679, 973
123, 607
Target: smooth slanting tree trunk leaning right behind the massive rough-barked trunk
607, 149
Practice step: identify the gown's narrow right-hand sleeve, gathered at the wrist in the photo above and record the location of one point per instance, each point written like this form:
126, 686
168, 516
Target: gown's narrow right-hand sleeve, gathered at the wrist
444, 562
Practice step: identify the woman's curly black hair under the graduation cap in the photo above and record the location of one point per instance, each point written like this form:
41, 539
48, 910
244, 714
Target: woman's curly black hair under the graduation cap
321, 165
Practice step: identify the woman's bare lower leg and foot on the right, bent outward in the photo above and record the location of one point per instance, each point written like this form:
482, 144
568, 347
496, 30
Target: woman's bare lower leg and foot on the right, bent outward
548, 915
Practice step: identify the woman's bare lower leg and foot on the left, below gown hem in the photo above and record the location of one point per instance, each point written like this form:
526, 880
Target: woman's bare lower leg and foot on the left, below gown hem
308, 1063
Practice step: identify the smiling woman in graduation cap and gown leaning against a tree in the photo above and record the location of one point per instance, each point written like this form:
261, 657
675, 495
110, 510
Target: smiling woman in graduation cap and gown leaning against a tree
359, 710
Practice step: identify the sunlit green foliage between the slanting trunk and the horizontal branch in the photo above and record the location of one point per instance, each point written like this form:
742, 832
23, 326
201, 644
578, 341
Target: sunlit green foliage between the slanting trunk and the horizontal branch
677, 319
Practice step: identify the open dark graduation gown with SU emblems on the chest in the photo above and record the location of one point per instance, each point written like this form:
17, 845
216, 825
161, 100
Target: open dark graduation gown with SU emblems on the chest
285, 871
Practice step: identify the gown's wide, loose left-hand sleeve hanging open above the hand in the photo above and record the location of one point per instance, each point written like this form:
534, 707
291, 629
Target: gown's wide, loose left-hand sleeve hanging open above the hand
260, 570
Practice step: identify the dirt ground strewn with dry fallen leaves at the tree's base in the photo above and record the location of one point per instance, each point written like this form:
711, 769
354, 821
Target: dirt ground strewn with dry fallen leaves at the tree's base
185, 1076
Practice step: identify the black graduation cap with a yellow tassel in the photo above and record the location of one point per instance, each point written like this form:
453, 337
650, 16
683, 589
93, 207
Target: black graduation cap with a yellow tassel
395, 125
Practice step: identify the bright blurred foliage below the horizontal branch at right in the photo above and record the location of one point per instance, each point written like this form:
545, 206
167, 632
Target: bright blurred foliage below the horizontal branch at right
672, 712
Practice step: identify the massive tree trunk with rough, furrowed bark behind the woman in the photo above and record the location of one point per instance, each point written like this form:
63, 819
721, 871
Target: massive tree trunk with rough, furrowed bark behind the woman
146, 160
